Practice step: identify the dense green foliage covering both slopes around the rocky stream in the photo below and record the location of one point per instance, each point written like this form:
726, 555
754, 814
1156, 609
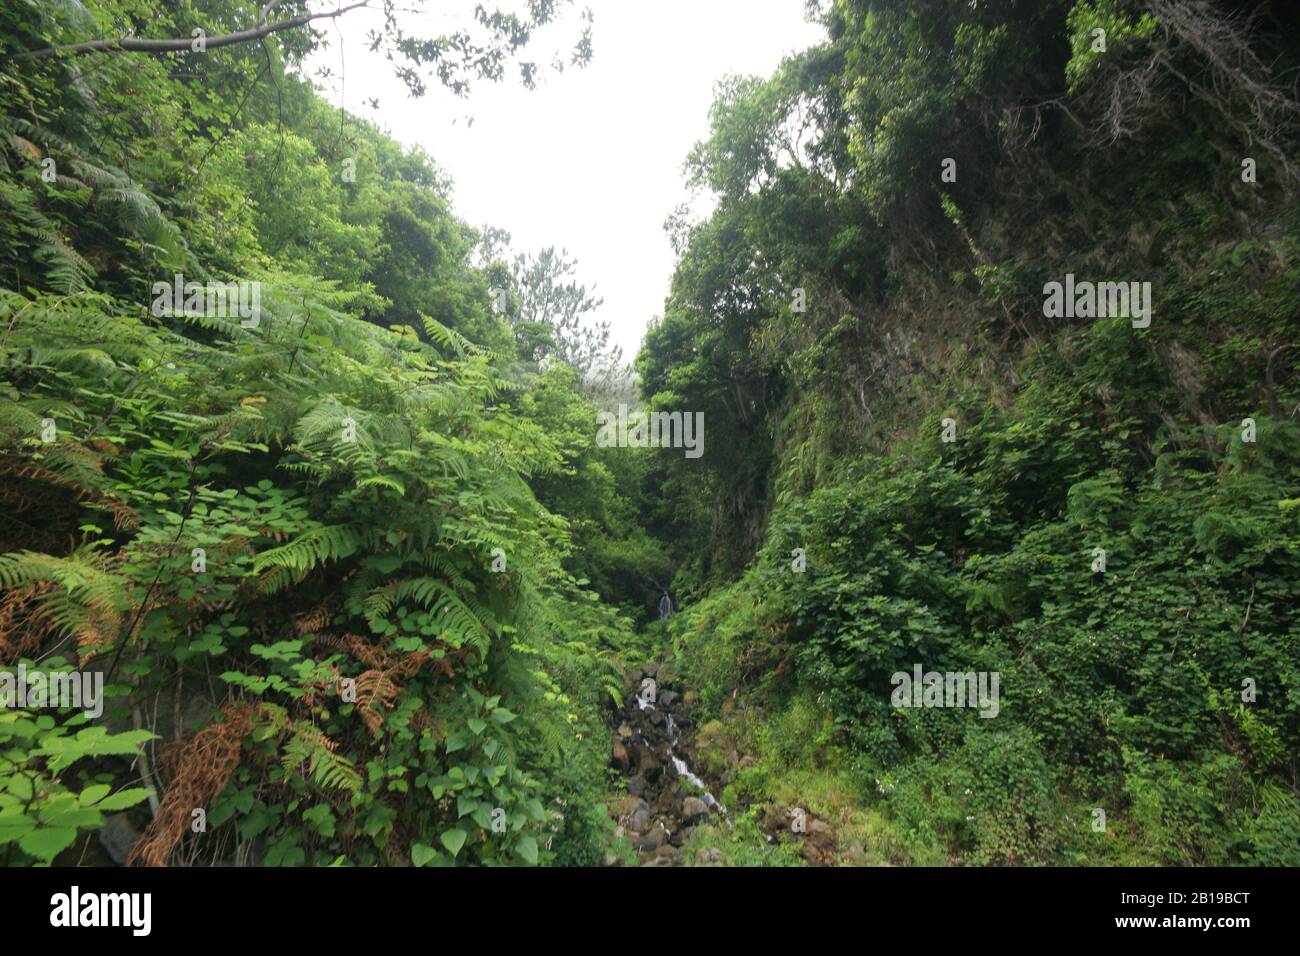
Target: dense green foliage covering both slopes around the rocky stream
363, 581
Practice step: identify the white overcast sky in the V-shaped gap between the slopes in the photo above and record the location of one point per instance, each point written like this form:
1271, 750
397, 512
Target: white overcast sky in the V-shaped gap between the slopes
592, 159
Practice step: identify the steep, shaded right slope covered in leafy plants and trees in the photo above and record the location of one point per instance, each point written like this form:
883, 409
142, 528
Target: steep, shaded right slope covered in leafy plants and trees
885, 392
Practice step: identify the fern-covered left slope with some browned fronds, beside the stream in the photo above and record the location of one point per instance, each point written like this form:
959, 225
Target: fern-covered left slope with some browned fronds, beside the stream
305, 547
